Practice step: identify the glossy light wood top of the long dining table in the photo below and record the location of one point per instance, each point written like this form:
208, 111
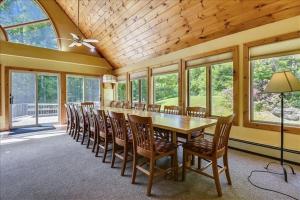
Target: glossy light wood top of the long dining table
177, 123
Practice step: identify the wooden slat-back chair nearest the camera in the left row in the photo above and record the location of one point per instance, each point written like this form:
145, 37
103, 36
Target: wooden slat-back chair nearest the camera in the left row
144, 145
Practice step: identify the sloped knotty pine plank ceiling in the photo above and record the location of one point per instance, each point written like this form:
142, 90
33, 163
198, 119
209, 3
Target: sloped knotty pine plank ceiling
132, 30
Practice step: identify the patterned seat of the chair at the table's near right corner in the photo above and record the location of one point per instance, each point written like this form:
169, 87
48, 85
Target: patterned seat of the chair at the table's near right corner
200, 146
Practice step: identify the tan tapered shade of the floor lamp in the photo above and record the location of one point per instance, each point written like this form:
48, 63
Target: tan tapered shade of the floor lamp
283, 82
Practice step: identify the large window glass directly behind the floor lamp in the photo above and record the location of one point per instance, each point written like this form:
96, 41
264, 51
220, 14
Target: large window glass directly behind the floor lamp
266, 107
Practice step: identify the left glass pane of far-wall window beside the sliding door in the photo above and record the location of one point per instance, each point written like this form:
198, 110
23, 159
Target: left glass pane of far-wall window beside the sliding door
74, 89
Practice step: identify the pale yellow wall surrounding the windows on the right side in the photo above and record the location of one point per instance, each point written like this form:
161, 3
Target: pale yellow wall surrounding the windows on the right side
292, 141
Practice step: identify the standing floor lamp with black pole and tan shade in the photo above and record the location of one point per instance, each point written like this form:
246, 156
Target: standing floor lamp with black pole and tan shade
282, 82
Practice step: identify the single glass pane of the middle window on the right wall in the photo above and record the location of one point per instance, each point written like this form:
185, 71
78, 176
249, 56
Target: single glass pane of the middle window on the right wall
166, 89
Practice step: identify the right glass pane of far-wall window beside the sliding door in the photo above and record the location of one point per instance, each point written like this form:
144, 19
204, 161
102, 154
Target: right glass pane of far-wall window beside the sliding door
92, 90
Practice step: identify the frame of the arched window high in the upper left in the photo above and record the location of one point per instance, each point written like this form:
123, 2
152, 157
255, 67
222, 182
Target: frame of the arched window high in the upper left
47, 19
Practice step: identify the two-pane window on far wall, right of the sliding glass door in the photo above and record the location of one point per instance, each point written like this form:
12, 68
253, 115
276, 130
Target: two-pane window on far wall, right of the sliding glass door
83, 89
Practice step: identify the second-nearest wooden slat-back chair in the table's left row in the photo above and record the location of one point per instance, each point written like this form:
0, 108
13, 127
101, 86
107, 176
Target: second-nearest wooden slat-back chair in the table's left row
122, 139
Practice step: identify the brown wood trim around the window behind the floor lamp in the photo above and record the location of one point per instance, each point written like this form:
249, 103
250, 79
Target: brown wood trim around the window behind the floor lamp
247, 122
